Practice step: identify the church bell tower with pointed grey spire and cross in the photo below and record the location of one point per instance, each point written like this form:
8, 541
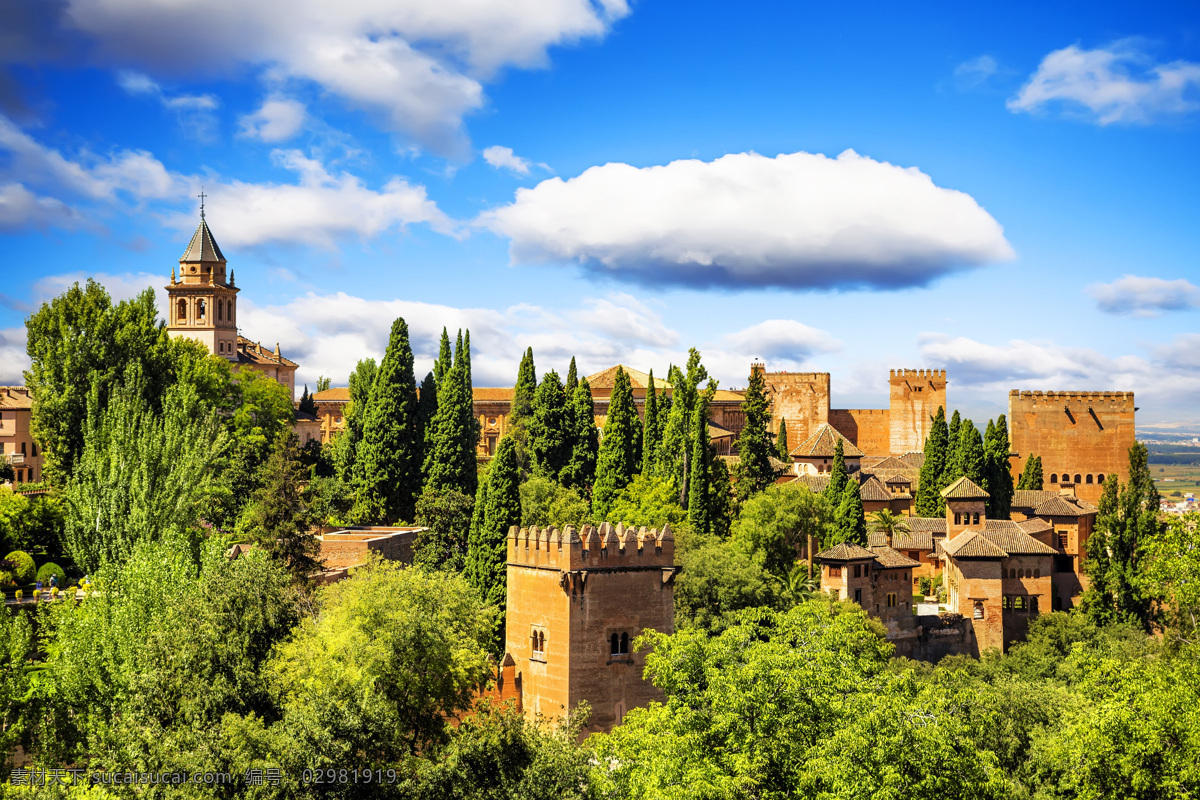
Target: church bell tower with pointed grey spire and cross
203, 303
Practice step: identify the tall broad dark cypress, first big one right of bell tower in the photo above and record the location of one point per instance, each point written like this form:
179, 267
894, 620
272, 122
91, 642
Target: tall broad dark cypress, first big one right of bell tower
389, 454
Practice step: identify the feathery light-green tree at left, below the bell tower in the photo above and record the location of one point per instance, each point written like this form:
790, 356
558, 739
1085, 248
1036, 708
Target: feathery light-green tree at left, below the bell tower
142, 477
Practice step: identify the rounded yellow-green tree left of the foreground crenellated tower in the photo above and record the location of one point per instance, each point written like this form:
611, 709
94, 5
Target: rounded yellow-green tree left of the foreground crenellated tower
379, 676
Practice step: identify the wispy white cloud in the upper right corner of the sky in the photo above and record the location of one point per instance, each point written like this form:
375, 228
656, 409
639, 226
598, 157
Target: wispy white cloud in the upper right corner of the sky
1114, 85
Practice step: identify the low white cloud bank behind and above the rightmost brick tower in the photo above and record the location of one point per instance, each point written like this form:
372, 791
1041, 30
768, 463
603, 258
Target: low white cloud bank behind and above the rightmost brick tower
1167, 380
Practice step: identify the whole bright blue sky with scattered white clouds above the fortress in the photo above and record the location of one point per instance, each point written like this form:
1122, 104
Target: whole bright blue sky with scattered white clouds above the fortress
1004, 191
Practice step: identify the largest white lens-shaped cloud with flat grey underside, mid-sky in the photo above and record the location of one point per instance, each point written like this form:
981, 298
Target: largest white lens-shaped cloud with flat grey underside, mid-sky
745, 220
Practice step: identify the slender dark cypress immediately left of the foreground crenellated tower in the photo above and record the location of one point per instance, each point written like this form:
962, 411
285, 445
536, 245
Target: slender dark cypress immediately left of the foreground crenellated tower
488, 545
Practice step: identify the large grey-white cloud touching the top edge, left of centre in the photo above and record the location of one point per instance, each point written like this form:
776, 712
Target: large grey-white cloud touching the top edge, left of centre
417, 65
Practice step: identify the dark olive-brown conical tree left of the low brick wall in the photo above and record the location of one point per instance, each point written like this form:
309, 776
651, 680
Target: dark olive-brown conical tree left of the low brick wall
279, 520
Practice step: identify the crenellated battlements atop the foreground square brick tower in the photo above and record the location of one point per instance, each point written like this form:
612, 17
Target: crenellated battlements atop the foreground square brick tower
591, 548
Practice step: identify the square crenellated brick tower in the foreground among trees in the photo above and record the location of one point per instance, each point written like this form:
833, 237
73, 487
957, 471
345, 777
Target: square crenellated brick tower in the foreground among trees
577, 600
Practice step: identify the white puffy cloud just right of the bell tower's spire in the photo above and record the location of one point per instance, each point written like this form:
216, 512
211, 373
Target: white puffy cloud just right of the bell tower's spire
317, 210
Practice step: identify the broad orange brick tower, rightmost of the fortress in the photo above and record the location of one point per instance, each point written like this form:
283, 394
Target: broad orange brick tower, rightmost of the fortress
1076, 434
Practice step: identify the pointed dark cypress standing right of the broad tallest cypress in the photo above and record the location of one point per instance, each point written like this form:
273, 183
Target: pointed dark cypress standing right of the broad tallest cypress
451, 464
